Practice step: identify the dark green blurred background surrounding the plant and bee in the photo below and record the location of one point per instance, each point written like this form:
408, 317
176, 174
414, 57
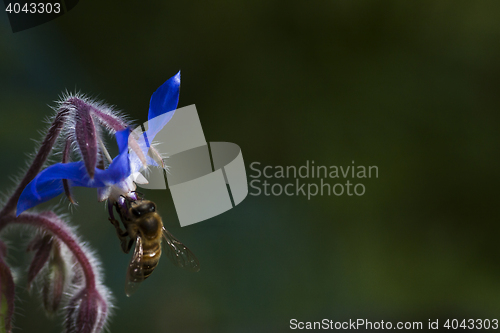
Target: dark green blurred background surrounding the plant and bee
411, 87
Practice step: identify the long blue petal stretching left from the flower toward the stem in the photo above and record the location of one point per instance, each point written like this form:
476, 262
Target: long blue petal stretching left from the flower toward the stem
48, 183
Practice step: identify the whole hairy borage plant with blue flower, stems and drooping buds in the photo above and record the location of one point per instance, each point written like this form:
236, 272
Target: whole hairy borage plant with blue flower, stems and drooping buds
67, 271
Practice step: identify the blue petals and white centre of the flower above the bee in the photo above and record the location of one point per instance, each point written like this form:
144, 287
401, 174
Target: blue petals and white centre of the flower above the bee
118, 178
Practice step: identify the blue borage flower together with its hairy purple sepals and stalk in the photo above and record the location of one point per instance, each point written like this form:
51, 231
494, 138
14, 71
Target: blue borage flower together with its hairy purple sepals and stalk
119, 178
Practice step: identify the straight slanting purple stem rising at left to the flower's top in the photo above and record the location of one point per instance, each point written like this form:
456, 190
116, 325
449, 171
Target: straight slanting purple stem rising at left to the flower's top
38, 162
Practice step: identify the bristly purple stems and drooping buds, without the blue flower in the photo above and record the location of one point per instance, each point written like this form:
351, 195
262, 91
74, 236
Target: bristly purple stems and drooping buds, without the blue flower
67, 271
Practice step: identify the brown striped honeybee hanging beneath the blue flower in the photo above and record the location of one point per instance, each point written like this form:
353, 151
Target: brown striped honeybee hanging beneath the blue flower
143, 225
